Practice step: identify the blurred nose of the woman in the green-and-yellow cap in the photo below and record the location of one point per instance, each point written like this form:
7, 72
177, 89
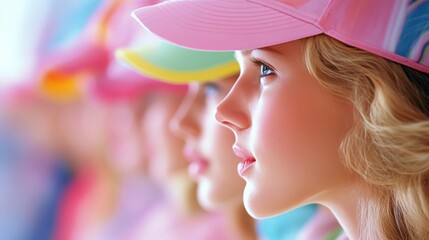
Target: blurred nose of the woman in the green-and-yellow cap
184, 122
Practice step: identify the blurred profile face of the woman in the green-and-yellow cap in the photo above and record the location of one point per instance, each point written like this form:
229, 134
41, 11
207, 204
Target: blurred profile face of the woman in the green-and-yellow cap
209, 145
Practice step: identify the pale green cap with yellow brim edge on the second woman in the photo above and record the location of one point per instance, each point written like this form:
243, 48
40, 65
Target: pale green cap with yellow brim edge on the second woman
170, 63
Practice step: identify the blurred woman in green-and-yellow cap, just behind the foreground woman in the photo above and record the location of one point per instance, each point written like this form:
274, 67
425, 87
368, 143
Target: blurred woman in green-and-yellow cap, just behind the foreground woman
213, 170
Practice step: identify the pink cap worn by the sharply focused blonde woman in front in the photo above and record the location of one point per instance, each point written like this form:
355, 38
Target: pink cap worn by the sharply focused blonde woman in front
394, 29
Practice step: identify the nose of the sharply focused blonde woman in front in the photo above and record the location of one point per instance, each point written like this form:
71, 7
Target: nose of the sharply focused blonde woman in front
233, 111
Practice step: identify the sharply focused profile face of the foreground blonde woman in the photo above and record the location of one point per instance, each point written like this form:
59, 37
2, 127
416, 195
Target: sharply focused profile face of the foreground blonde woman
288, 131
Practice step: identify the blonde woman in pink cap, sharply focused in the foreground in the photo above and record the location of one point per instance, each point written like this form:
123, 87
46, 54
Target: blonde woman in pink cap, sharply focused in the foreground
332, 95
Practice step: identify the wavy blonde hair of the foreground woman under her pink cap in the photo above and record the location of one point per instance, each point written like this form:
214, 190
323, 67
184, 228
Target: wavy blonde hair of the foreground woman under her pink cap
389, 143
